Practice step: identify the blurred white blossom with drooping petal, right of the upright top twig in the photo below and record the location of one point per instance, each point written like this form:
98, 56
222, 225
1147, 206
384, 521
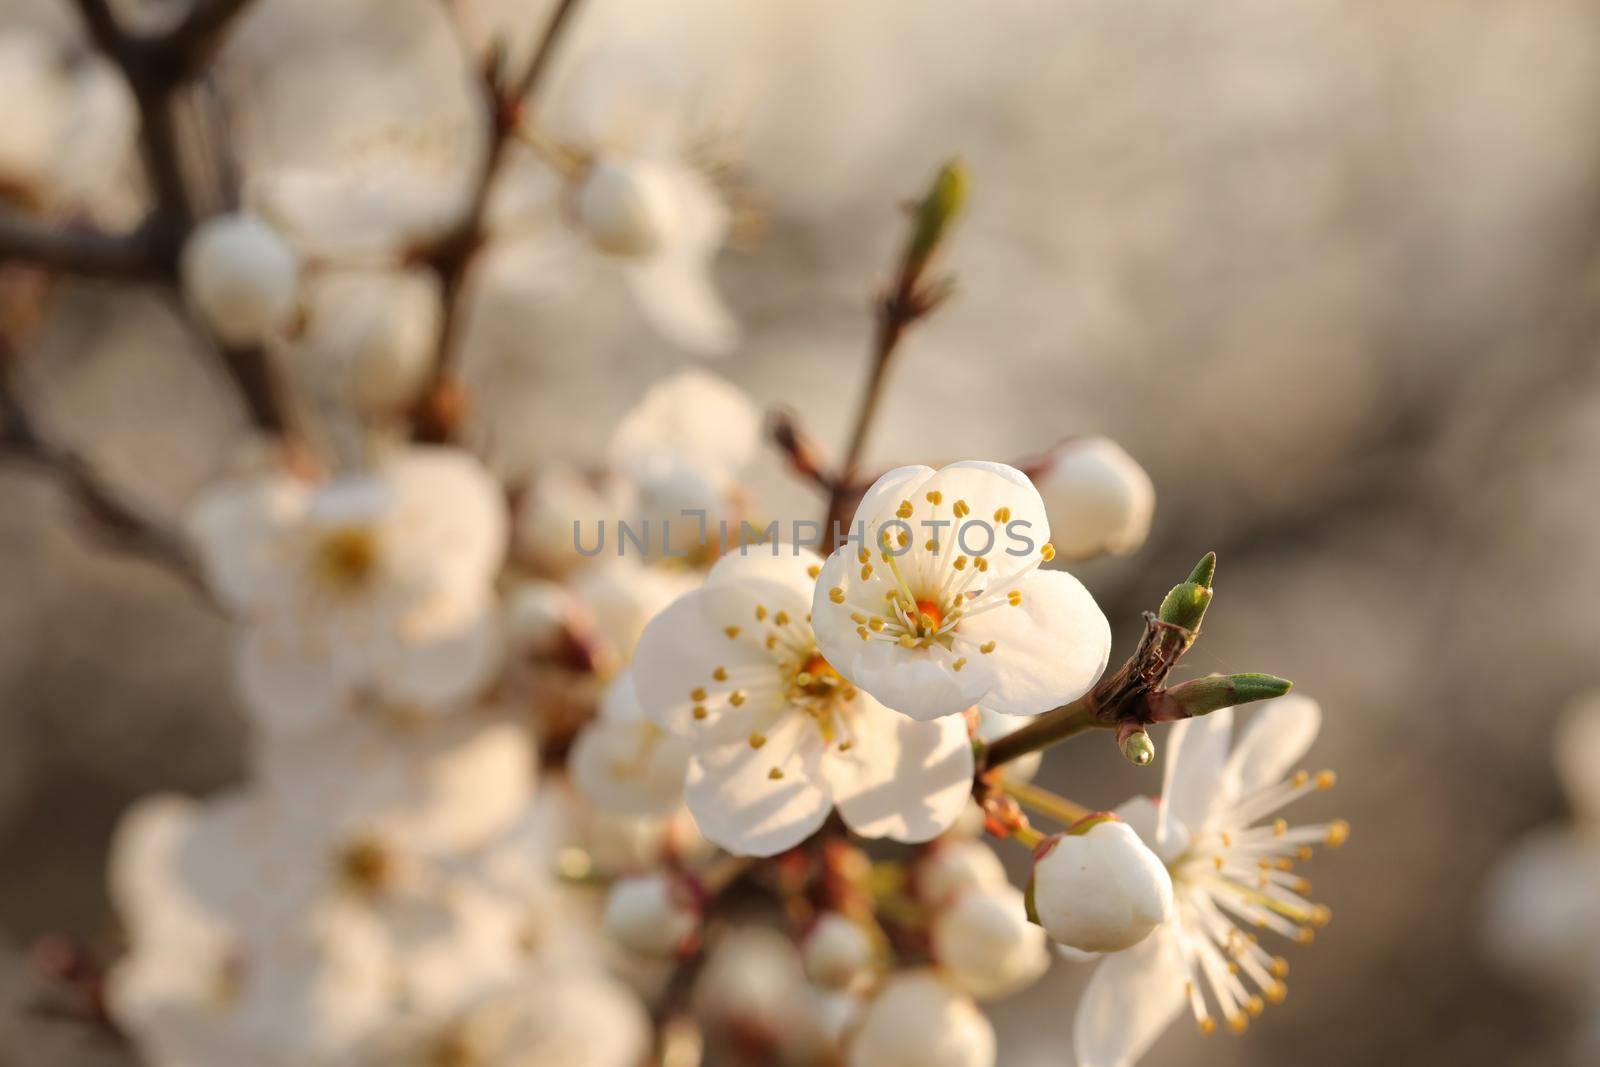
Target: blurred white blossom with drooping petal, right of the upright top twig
636, 199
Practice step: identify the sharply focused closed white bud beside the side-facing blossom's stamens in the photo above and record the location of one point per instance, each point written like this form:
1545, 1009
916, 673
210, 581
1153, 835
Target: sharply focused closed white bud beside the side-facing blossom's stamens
1100, 890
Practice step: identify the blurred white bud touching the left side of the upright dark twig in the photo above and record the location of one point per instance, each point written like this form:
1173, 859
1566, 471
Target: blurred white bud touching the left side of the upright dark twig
374, 334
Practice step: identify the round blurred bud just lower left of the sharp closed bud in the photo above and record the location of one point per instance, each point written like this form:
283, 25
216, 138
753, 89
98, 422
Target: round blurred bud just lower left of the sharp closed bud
988, 946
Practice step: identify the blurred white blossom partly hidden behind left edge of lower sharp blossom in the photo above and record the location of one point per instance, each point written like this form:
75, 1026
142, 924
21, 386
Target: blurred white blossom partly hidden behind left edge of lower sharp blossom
625, 762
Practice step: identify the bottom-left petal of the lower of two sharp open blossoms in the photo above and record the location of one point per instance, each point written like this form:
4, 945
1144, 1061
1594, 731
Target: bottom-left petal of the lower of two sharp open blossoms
737, 802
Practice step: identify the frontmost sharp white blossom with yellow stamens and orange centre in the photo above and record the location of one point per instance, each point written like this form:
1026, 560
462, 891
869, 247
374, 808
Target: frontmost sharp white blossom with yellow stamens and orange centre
942, 604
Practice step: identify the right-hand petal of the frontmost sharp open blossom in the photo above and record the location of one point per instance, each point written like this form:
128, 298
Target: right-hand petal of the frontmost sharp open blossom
1049, 650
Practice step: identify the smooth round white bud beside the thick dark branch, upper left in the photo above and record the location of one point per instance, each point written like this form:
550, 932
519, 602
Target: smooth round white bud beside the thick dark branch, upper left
241, 276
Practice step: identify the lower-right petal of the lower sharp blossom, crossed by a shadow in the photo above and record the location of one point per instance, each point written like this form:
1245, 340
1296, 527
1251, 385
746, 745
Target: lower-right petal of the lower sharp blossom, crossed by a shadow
902, 778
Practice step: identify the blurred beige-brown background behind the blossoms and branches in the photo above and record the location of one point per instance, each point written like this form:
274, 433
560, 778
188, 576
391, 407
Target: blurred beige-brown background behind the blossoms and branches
1326, 268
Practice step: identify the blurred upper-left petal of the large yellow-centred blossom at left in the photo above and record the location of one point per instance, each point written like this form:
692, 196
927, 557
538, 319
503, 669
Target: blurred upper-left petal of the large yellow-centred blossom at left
238, 527
